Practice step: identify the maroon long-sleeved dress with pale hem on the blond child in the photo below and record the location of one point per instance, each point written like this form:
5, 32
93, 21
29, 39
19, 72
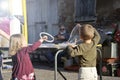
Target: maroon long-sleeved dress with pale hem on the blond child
22, 66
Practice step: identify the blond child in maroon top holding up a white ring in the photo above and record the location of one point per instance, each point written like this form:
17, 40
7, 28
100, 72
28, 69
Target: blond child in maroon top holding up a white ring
18, 49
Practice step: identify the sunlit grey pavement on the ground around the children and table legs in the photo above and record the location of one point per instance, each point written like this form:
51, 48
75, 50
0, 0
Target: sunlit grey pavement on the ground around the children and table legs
45, 72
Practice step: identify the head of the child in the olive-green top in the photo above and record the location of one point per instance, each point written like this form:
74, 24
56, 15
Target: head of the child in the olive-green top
87, 32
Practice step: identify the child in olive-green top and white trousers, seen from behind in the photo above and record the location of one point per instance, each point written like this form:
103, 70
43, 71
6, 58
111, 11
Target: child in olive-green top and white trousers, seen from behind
86, 52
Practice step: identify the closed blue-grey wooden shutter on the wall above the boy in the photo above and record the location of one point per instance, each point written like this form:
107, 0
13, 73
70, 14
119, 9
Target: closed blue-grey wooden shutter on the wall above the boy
85, 10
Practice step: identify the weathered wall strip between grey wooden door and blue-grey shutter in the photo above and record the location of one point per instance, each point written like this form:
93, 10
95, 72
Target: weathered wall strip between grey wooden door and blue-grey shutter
66, 13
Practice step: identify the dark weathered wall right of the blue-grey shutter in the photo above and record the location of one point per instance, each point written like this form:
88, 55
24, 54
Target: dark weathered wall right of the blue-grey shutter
108, 12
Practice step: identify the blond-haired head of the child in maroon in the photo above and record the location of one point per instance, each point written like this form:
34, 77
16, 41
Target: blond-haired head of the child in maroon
17, 41
